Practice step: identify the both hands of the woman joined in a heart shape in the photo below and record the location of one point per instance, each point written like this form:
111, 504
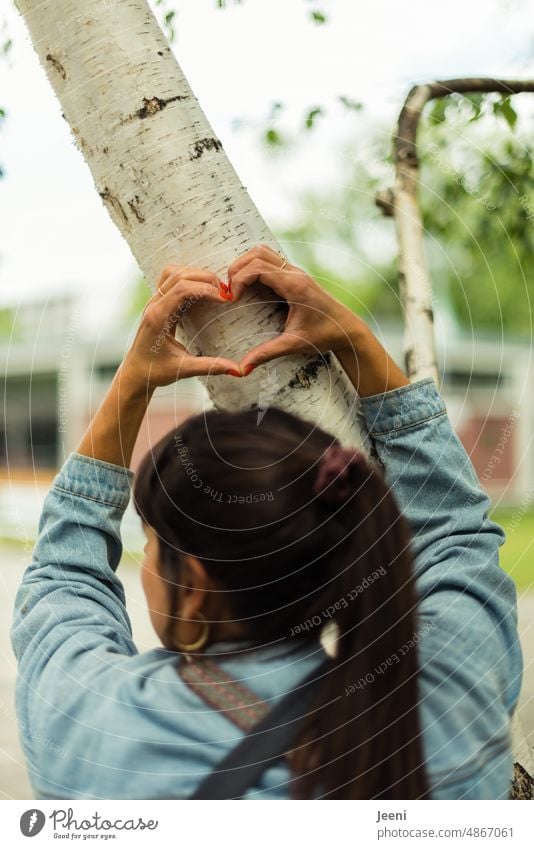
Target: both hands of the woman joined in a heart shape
315, 322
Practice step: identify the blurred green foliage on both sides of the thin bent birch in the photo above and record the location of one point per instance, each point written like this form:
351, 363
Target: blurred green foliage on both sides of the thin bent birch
477, 199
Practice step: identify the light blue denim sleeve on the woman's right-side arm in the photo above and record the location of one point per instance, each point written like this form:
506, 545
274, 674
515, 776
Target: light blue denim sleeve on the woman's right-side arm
459, 581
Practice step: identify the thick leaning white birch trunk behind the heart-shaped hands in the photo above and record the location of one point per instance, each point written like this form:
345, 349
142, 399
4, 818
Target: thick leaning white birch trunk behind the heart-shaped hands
172, 192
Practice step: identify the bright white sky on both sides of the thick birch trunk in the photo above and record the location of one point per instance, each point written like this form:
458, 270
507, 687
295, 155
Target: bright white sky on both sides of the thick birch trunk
55, 234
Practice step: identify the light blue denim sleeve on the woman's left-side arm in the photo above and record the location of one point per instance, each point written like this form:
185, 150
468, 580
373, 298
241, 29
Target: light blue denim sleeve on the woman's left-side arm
70, 614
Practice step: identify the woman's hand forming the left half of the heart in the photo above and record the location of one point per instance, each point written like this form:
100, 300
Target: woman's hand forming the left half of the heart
156, 358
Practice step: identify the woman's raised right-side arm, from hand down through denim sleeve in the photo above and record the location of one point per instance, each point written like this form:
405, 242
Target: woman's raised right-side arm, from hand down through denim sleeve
459, 580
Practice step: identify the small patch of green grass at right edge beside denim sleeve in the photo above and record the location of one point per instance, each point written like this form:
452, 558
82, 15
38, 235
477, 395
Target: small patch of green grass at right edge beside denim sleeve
517, 553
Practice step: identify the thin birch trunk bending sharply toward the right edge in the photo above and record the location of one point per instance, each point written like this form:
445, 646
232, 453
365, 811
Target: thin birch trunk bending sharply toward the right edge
415, 287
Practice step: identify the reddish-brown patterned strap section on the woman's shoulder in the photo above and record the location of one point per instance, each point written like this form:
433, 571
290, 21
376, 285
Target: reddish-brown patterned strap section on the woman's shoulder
215, 687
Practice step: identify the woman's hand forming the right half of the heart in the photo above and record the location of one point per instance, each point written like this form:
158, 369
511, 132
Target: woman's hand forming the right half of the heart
316, 322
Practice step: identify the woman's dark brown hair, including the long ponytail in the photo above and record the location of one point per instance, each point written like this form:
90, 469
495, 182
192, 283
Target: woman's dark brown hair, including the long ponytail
236, 490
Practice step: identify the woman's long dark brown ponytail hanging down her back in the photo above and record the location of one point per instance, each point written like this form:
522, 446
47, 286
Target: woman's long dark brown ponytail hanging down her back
362, 737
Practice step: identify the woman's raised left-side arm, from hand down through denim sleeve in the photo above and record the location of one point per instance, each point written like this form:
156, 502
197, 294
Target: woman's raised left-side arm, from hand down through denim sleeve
71, 625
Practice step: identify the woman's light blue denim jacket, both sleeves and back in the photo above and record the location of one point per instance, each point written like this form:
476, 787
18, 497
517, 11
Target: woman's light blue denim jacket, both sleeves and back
98, 720
